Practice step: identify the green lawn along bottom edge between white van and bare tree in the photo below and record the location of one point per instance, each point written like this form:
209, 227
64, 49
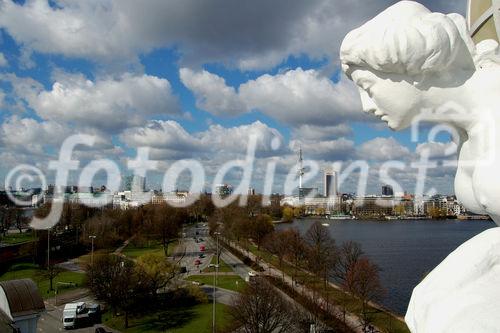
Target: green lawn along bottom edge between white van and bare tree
179, 320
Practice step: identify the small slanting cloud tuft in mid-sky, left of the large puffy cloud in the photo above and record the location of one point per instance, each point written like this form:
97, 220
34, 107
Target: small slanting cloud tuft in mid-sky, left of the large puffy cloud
211, 93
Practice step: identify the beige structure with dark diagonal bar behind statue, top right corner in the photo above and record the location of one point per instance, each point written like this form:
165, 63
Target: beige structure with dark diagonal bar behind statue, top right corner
483, 18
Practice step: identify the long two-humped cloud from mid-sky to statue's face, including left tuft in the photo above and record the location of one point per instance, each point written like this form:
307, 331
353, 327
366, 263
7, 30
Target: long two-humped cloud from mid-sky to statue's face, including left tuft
294, 97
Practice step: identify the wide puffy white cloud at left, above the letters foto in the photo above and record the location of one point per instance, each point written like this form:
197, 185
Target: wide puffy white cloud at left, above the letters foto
106, 104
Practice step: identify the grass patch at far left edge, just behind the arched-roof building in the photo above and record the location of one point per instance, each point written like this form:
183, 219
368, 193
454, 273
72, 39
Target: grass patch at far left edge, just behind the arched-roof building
23, 271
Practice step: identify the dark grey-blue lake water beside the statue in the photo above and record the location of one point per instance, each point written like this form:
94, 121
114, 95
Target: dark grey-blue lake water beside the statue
404, 250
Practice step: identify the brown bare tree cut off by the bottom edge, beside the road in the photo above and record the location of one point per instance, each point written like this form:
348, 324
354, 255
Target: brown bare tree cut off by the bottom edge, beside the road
262, 309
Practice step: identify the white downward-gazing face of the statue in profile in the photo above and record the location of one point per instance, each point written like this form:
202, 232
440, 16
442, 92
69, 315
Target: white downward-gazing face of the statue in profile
391, 97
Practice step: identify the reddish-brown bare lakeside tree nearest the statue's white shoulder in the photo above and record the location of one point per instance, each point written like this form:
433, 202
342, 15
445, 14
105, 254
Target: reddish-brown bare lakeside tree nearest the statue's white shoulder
363, 281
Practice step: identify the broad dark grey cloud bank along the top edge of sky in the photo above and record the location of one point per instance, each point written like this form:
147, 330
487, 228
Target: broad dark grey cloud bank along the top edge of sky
207, 31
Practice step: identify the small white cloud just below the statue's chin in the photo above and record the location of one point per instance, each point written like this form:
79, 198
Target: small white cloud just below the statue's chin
382, 149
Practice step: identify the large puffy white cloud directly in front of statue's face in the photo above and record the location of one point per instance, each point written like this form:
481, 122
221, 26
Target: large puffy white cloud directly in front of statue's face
302, 97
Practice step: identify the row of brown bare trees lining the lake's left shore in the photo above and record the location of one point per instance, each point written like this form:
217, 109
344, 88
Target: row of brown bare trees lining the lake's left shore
315, 252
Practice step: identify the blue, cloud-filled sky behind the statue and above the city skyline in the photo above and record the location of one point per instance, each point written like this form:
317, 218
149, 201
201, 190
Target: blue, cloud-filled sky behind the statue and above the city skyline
195, 80
